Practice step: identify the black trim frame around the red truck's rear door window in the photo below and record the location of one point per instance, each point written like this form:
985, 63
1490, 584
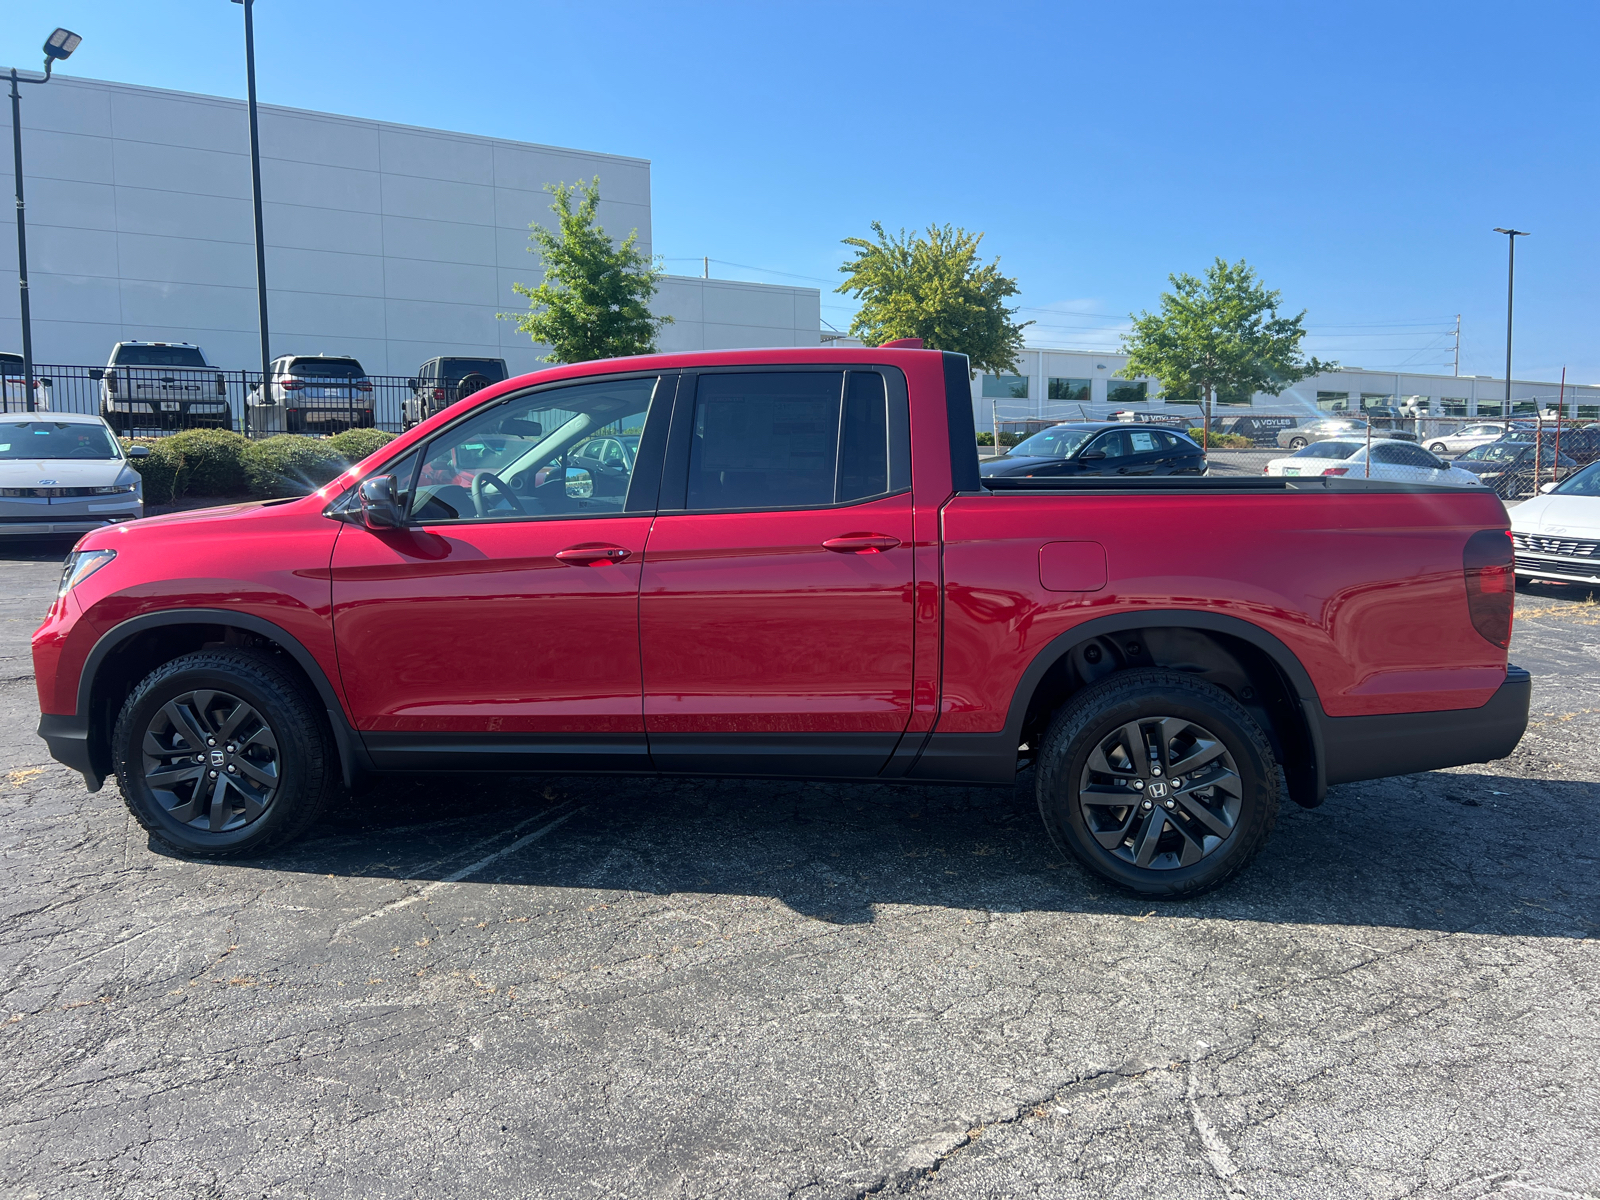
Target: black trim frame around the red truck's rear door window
676, 471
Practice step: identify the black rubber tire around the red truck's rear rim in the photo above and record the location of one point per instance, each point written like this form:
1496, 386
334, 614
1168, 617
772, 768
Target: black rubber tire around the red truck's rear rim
1127, 698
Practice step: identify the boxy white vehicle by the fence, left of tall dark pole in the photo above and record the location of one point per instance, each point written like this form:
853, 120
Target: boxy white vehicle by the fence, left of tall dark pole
156, 388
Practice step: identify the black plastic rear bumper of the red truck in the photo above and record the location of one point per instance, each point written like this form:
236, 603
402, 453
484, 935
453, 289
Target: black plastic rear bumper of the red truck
1406, 743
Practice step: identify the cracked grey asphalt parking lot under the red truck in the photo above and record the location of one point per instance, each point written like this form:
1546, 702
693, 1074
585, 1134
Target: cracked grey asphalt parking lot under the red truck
599, 988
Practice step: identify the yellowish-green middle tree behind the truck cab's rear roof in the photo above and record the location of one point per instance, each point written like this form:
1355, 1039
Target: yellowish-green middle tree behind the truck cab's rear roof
934, 289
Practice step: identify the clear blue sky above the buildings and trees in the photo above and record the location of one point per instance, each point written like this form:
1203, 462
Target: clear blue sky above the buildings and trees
1358, 154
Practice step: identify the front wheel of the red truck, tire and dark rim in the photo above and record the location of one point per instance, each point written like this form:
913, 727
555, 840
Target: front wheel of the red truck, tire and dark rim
222, 754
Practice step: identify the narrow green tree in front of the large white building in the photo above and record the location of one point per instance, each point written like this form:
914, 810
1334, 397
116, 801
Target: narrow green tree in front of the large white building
594, 302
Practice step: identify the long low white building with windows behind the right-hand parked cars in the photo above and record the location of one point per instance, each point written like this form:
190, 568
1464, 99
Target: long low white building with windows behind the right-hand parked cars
1084, 385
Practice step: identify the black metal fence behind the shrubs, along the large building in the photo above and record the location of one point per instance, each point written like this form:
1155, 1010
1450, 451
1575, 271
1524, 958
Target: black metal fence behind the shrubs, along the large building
156, 401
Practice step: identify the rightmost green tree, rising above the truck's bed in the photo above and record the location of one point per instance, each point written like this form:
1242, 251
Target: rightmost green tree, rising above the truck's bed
1218, 337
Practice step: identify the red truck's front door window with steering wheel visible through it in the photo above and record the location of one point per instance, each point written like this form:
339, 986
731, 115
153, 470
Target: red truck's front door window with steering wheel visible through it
535, 457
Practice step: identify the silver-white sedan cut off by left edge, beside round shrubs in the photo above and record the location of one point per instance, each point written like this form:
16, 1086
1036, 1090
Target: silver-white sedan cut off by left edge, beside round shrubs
65, 473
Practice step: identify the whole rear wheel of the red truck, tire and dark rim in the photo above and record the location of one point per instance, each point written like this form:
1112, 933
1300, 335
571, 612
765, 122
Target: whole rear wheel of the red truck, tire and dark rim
1158, 782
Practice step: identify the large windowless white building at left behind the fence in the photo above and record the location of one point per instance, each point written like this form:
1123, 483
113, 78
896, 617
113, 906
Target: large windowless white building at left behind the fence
385, 242
